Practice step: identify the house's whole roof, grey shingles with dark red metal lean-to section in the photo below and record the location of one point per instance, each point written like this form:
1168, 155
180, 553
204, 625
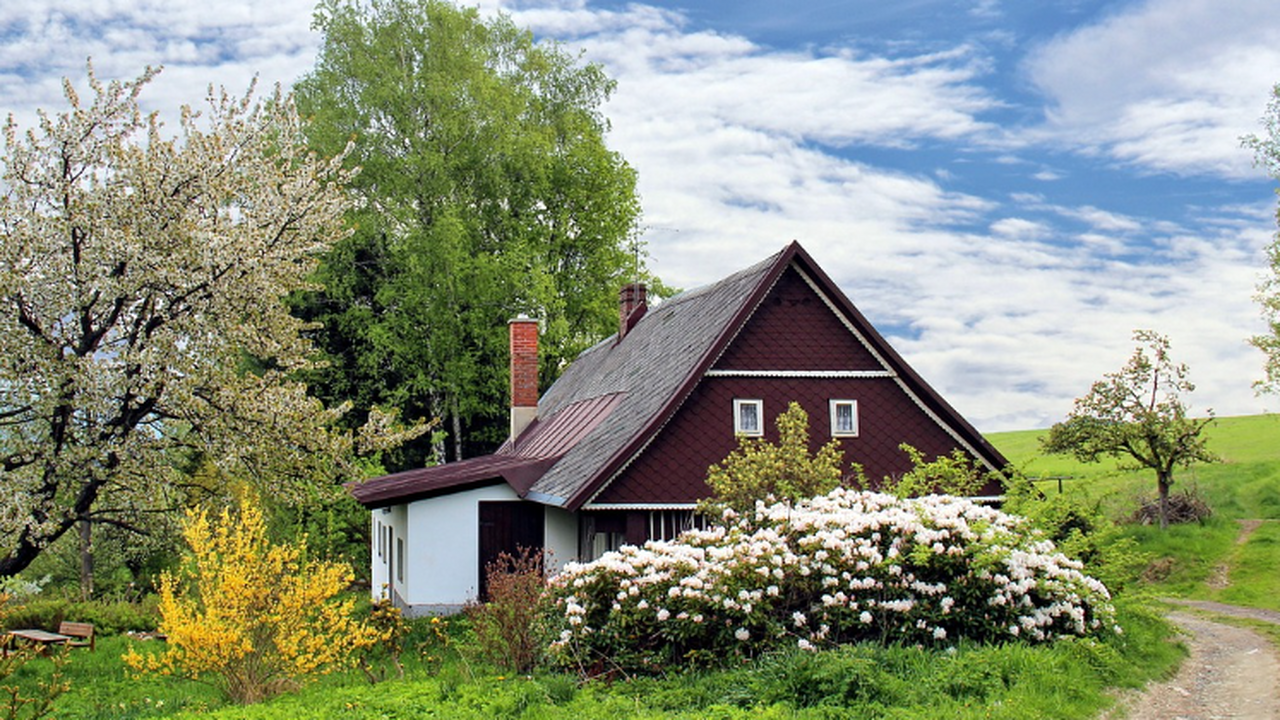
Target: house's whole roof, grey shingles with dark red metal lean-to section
615, 398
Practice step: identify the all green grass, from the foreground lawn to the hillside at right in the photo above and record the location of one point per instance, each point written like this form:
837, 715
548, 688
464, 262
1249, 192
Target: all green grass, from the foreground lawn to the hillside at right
1231, 558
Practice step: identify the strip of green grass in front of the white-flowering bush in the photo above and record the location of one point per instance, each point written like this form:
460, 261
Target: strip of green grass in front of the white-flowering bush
1062, 681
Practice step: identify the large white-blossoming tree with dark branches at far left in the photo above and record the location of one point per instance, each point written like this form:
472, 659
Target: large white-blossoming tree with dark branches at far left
141, 315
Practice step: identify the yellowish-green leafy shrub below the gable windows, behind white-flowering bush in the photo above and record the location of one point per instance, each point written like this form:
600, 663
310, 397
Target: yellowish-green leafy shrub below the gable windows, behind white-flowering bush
789, 470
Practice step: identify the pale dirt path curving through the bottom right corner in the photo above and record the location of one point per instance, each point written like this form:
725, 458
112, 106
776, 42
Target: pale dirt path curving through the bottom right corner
1231, 673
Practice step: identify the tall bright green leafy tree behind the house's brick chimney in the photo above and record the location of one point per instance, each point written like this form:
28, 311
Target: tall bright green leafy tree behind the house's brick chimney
487, 192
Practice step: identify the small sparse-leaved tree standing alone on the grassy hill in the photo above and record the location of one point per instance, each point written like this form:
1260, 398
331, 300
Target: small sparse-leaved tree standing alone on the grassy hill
1140, 417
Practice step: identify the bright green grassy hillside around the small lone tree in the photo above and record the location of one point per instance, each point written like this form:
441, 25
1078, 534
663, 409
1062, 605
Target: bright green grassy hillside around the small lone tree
1231, 558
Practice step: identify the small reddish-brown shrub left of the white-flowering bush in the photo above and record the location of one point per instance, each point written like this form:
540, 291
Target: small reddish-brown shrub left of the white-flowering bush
510, 630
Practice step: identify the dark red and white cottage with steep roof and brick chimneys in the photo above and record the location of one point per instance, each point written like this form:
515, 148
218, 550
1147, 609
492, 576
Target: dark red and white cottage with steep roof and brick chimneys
616, 452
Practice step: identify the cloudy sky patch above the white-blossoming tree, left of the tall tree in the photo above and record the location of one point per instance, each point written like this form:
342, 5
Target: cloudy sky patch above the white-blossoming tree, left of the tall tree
199, 44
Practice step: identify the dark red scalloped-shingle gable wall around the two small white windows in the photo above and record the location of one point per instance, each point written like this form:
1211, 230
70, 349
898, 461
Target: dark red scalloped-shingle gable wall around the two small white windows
793, 331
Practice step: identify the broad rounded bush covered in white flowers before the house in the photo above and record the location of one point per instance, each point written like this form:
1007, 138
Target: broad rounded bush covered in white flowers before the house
840, 568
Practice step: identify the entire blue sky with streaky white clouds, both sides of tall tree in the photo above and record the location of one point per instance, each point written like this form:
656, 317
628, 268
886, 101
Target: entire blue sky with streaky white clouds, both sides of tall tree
1007, 189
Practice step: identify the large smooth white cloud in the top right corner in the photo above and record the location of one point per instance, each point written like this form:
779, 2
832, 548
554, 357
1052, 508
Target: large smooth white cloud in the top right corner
1164, 85
